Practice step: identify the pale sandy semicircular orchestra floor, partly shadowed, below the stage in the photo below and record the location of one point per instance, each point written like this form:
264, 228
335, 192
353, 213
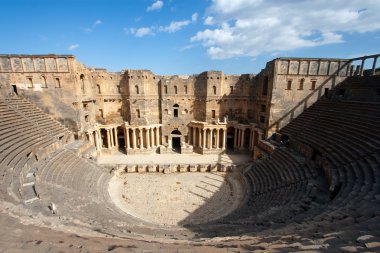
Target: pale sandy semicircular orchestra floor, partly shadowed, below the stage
176, 199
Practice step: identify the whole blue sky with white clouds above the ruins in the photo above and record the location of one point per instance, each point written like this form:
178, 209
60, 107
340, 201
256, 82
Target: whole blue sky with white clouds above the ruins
190, 36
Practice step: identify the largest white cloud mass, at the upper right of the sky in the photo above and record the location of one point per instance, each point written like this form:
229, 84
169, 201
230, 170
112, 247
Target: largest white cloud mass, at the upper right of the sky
254, 27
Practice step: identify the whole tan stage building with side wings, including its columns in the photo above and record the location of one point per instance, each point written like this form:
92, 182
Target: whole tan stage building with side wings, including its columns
139, 112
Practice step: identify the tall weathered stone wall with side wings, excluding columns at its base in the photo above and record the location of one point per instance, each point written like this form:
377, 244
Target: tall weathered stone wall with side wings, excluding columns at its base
79, 96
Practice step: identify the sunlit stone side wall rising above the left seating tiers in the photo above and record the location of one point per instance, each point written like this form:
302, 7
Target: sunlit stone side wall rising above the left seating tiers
56, 83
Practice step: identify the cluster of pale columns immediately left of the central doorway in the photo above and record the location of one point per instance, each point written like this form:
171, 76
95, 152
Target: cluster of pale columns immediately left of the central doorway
142, 137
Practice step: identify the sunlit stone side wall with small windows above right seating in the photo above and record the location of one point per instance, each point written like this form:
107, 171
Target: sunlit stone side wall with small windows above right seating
298, 83
